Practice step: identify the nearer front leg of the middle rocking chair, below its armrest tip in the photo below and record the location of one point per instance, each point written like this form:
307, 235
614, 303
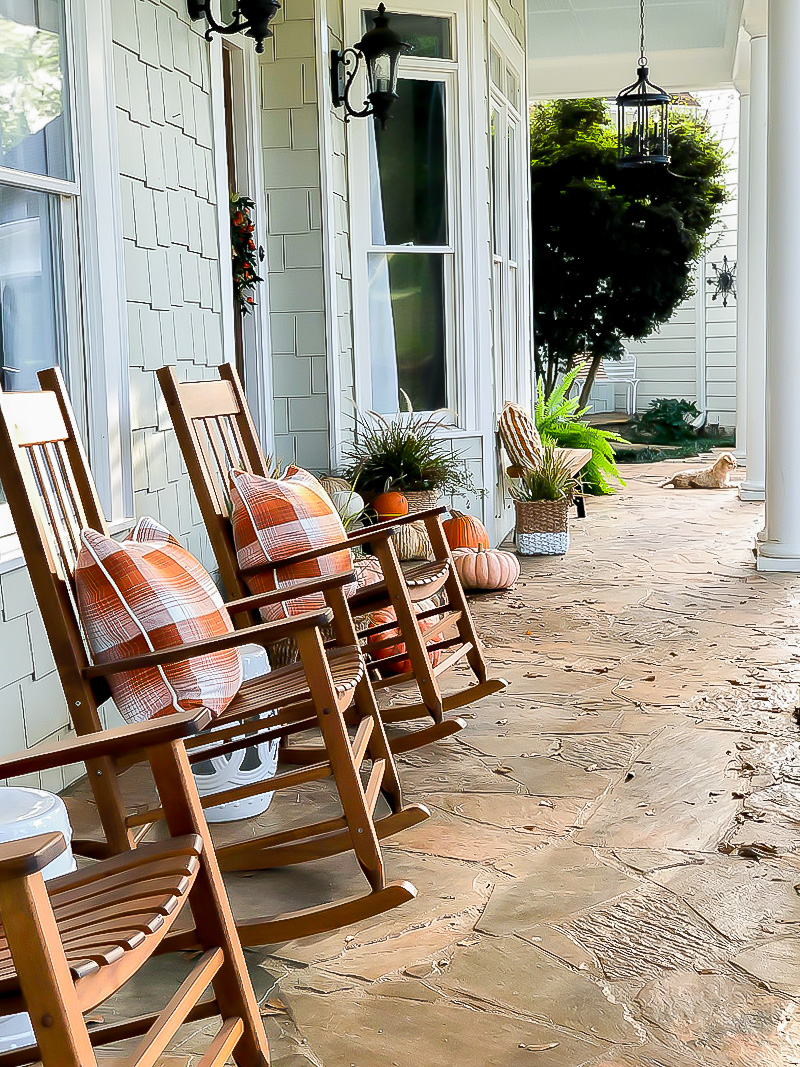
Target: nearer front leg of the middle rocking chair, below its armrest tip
341, 755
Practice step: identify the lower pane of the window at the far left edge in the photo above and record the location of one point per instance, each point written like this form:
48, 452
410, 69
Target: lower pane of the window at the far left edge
31, 290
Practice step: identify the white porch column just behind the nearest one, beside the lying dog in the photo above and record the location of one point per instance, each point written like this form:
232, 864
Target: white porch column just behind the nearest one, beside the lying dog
753, 488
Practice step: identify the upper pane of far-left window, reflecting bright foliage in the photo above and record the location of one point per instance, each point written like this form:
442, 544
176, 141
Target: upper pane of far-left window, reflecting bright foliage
35, 124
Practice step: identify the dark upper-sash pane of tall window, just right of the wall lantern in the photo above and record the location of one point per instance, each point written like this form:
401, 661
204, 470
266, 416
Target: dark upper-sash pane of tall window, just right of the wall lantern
409, 169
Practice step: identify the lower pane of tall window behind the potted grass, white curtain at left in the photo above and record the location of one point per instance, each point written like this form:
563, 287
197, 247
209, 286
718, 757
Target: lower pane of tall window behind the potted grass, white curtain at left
407, 328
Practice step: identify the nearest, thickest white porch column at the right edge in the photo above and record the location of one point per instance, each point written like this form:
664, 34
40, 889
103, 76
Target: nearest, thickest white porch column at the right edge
780, 550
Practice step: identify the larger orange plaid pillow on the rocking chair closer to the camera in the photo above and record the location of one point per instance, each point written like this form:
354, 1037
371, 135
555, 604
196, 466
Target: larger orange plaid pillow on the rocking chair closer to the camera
149, 594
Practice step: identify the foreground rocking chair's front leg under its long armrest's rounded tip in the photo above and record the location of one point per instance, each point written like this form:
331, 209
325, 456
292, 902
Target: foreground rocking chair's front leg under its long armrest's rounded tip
214, 920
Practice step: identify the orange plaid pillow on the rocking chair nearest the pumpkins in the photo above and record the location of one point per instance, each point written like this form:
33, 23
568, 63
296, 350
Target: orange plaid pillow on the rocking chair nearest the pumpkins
277, 518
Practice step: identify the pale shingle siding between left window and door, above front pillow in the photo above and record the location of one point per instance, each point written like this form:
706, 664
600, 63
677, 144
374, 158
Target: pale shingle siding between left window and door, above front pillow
172, 268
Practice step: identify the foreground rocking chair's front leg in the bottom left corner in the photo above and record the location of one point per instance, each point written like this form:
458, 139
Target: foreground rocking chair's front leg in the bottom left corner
44, 975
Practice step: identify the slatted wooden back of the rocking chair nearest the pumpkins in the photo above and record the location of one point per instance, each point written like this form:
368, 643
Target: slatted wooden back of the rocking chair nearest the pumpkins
216, 433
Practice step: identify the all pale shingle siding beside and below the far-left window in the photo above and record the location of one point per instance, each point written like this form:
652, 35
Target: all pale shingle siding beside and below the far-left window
173, 293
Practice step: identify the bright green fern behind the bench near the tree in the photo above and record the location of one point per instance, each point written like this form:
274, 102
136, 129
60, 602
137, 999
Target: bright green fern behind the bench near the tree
561, 419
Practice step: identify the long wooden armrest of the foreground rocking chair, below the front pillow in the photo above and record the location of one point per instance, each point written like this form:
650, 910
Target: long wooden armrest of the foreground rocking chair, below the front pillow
108, 743
